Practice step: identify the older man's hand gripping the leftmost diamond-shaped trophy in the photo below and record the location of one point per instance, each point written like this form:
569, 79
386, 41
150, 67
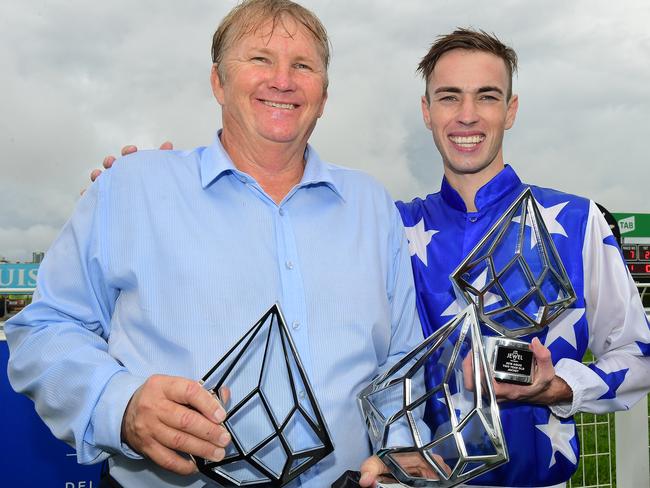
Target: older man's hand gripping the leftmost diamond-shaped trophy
168, 414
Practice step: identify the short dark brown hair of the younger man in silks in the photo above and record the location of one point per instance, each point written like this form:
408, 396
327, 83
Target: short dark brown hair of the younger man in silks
469, 40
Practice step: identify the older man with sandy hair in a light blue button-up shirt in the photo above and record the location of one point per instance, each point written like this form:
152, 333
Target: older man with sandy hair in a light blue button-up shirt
170, 257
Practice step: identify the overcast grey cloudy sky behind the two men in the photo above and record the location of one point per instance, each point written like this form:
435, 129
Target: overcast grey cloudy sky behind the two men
80, 79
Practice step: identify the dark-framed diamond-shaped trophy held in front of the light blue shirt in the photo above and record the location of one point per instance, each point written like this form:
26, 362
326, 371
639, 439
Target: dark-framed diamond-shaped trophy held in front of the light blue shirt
276, 425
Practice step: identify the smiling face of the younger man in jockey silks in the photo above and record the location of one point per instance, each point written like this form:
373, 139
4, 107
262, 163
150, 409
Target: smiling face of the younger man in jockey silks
467, 110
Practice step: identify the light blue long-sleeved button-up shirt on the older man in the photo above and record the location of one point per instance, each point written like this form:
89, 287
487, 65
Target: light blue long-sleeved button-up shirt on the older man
172, 255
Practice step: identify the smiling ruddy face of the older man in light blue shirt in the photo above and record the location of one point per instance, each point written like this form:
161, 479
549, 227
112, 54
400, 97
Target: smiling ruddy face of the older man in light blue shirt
275, 85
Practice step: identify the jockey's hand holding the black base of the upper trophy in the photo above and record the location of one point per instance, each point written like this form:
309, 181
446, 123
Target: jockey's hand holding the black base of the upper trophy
546, 389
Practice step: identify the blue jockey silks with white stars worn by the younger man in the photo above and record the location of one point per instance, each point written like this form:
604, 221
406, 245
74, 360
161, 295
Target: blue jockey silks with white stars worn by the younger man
606, 318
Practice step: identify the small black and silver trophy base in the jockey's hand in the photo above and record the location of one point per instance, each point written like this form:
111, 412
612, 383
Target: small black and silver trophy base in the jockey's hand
512, 360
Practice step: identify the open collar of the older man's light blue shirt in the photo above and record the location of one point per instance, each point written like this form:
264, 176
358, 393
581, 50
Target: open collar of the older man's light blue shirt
215, 162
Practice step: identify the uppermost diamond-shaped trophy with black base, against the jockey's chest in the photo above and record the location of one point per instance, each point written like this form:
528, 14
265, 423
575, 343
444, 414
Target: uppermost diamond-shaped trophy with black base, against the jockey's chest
517, 280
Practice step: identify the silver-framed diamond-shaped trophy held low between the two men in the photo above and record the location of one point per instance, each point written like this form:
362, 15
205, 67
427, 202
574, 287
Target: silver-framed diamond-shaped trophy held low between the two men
433, 418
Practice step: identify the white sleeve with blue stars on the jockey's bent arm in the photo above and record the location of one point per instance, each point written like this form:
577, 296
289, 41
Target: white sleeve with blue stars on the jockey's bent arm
619, 335
